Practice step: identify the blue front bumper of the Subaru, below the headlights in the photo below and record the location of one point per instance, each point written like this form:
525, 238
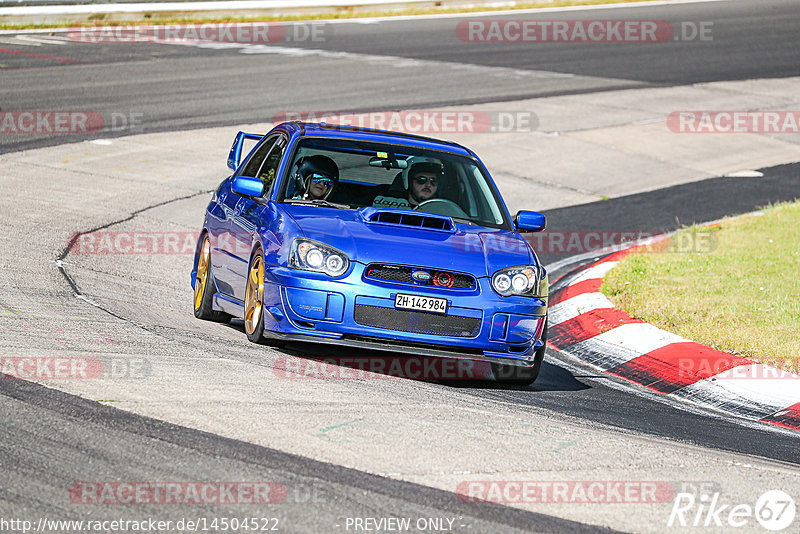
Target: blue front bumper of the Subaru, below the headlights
349, 311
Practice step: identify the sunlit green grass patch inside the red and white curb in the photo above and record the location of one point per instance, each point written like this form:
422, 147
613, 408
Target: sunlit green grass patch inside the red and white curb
739, 293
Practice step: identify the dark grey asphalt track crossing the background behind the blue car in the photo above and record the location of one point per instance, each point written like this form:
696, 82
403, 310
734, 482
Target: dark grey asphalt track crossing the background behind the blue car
168, 87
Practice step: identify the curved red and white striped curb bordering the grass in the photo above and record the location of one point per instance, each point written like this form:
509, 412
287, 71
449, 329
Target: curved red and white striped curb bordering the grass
584, 323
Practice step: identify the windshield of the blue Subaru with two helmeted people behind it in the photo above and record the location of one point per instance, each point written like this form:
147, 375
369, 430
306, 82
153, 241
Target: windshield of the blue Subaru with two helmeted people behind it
354, 174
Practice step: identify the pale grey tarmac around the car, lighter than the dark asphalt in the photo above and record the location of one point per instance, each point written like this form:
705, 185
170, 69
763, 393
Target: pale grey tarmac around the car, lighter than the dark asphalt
207, 376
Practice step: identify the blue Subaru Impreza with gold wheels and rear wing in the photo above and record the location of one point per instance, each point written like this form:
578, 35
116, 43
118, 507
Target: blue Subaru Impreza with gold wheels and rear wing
372, 239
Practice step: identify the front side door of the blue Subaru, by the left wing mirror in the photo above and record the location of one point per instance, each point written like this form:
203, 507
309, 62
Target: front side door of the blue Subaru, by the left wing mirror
249, 212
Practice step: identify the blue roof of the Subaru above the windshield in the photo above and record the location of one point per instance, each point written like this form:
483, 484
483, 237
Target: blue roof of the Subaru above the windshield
311, 129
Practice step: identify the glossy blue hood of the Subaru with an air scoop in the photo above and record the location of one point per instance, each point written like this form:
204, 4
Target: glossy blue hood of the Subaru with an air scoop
473, 249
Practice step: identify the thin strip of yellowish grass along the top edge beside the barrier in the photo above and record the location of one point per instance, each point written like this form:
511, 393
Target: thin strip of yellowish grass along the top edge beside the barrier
343, 13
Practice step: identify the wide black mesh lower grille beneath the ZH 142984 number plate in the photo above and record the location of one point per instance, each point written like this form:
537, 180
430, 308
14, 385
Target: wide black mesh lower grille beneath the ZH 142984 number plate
417, 322
